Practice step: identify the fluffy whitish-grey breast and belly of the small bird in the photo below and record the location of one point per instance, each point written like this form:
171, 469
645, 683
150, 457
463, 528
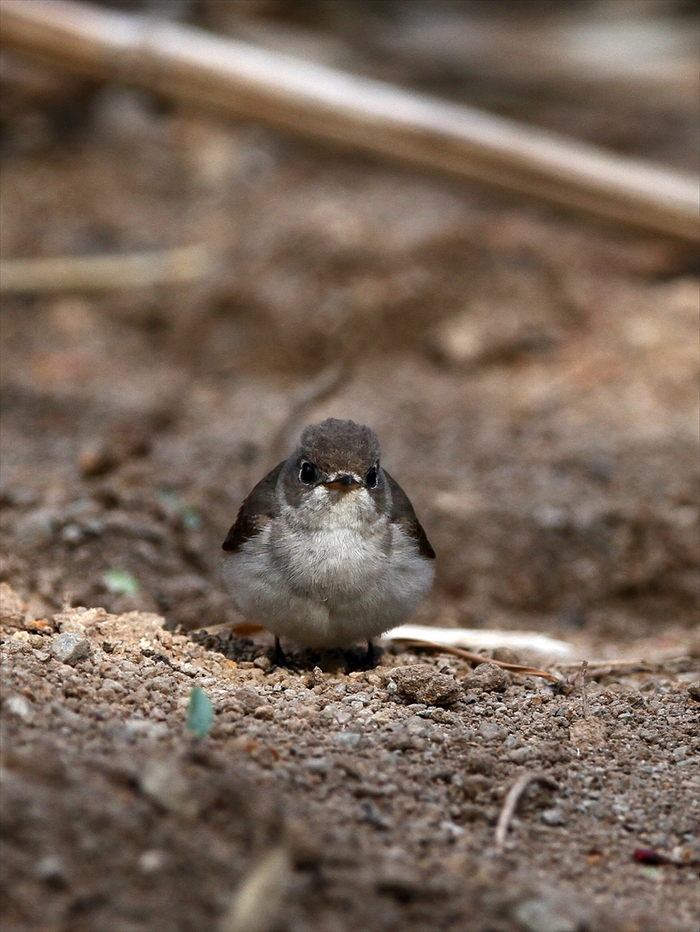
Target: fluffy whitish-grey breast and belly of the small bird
328, 587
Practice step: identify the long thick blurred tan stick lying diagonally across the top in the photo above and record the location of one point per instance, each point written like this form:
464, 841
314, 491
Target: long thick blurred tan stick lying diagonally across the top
237, 79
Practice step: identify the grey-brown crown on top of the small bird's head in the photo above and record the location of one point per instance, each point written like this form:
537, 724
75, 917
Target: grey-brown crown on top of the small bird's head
337, 446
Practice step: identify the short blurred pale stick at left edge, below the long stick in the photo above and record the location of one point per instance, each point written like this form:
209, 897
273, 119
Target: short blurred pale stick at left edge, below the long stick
181, 265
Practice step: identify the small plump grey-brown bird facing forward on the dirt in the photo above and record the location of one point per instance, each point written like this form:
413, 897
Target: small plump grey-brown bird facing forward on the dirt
327, 548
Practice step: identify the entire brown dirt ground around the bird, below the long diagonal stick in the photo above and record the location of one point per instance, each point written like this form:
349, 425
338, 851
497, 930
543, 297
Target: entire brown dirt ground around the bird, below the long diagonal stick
533, 382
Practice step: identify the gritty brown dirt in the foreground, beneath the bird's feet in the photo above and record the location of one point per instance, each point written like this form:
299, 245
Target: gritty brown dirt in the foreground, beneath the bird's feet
381, 789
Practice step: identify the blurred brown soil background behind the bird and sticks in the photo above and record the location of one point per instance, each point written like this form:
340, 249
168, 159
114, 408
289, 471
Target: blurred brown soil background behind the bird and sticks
533, 379
